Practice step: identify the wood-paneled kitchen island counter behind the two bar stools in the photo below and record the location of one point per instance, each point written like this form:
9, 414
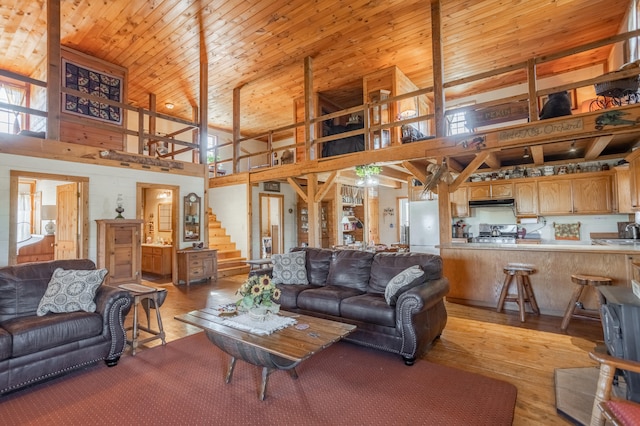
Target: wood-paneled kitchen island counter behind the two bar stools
475, 271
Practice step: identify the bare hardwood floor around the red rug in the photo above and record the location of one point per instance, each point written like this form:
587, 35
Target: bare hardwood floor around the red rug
475, 339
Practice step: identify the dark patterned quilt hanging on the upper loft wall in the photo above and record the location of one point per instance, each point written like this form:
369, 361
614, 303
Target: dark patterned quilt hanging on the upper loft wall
95, 83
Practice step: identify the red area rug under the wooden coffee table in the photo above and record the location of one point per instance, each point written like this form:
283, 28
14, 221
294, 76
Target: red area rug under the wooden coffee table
183, 383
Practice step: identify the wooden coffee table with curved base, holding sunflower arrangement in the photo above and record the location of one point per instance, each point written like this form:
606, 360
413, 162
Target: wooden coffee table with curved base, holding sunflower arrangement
282, 350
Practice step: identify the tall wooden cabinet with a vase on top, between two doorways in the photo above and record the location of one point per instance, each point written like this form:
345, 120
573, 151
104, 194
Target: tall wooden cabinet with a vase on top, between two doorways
119, 250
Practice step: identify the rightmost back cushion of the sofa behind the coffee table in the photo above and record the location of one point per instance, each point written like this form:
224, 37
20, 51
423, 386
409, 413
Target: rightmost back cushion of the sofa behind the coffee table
385, 266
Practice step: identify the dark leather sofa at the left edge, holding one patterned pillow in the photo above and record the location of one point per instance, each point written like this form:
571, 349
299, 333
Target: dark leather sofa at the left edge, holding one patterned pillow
35, 348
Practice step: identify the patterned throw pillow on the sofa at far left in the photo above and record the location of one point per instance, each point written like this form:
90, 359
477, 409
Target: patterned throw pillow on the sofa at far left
71, 291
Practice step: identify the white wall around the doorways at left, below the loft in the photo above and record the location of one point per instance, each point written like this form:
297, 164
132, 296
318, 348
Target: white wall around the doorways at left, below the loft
105, 183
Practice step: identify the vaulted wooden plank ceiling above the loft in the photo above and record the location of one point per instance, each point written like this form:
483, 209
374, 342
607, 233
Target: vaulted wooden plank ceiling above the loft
260, 45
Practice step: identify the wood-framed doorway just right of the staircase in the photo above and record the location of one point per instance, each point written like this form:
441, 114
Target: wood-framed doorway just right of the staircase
271, 224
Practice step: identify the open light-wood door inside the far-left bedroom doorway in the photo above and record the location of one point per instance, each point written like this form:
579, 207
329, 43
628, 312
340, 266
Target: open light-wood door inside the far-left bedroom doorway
66, 242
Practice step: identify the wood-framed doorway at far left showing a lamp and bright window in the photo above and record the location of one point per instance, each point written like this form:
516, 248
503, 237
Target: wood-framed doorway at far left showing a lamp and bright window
48, 216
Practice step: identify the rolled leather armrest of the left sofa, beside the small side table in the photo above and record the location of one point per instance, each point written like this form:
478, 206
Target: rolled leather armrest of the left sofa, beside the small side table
114, 305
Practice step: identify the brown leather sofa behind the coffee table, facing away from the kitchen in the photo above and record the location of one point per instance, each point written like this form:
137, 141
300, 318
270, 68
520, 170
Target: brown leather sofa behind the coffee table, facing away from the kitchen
349, 286
